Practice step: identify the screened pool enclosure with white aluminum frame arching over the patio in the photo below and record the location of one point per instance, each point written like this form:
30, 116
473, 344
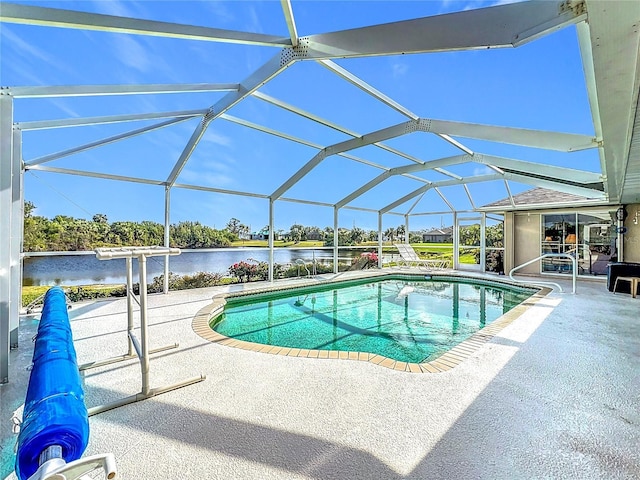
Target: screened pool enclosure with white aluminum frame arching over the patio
333, 111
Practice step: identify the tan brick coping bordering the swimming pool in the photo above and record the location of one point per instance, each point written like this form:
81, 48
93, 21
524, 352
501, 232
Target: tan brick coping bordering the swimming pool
443, 363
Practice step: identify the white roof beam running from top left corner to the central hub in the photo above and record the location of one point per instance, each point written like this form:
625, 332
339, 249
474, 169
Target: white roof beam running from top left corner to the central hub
53, 17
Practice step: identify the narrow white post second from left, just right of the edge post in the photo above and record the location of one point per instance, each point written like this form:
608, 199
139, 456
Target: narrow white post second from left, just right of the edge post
17, 228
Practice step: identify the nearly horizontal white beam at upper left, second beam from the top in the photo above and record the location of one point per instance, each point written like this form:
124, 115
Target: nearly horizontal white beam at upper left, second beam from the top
106, 90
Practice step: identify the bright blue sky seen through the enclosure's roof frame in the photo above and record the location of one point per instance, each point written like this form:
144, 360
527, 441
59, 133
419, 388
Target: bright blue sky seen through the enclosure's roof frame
539, 85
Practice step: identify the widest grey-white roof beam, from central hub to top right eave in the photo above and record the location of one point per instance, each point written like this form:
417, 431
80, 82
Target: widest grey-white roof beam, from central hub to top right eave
518, 23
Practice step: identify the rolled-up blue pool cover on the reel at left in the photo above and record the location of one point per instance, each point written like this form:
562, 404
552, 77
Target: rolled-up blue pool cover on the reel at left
54, 411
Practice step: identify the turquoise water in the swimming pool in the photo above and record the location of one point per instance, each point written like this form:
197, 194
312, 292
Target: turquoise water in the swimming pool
406, 320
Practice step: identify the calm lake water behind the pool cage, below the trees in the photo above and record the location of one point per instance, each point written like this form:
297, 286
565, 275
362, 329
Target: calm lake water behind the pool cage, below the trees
86, 269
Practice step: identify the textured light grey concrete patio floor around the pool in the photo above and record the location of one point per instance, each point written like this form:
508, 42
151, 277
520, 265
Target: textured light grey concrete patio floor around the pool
555, 395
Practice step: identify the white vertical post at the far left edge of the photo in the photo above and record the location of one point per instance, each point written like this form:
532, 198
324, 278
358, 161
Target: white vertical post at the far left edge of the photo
6, 155
